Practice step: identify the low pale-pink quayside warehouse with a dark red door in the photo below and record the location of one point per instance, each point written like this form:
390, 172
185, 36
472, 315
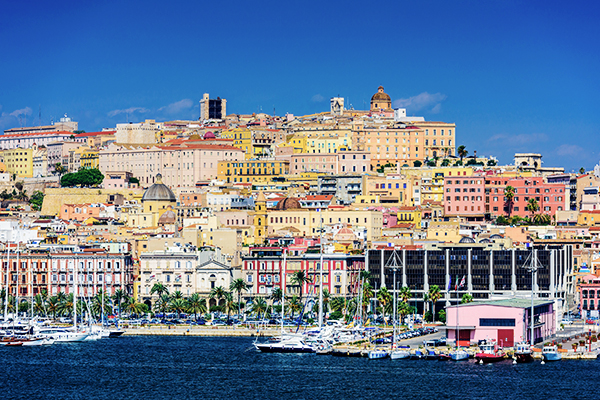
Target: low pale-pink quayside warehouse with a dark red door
505, 321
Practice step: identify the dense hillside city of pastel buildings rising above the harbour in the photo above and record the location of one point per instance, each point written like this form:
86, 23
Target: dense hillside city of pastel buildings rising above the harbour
257, 204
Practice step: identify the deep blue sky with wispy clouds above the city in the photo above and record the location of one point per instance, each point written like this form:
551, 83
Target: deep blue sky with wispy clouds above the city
514, 76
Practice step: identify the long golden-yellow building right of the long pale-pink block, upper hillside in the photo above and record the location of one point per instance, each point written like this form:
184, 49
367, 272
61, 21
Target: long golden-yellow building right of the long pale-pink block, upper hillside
258, 170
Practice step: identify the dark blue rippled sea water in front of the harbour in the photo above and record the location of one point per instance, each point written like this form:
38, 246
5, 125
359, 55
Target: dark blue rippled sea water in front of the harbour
229, 368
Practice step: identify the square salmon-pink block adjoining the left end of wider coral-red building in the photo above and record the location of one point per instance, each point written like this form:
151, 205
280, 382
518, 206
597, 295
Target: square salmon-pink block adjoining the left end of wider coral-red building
464, 196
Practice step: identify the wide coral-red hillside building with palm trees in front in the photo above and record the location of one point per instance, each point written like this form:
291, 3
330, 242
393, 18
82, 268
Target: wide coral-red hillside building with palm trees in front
551, 197
